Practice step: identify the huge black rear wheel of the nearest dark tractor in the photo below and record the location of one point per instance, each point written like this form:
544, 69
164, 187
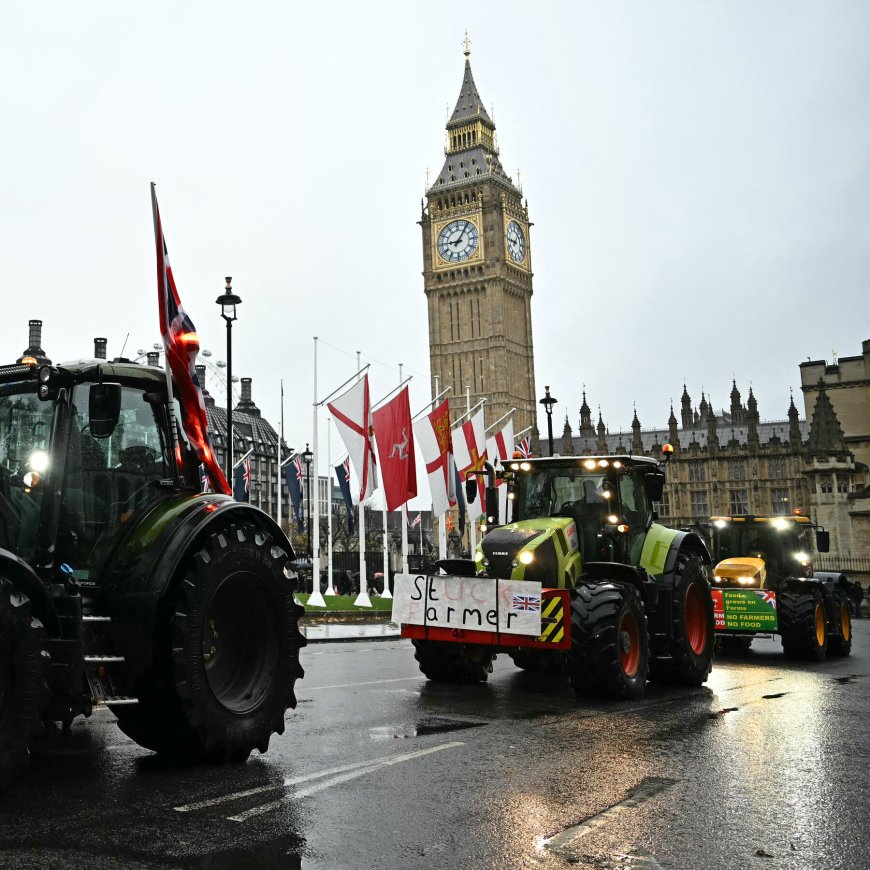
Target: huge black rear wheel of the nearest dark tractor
228, 659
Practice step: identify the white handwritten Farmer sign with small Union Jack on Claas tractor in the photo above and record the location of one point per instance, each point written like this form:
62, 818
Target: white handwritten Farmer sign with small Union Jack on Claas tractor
470, 603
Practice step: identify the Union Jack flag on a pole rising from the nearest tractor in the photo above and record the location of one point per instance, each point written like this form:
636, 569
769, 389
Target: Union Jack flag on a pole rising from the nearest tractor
181, 344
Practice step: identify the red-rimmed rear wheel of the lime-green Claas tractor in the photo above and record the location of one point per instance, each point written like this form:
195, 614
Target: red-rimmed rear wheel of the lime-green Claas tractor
691, 628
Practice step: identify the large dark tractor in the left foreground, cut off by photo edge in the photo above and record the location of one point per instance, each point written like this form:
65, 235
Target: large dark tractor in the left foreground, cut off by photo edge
122, 585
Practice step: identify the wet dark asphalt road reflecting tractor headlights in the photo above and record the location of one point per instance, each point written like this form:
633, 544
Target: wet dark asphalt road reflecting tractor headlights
764, 767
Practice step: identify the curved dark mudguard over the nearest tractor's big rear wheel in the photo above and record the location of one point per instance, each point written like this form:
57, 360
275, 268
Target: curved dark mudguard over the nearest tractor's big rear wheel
141, 572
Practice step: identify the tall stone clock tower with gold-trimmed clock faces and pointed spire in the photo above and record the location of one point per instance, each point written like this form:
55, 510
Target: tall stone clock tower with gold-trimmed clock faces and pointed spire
477, 271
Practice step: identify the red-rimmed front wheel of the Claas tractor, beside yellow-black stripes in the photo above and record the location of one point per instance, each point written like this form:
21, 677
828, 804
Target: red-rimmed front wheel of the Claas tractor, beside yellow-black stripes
609, 655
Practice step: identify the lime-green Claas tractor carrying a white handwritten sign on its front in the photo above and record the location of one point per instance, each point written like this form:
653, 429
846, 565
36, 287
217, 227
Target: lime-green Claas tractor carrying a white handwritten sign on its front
622, 599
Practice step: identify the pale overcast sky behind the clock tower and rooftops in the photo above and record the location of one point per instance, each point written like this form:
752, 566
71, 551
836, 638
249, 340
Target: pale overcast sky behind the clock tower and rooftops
698, 174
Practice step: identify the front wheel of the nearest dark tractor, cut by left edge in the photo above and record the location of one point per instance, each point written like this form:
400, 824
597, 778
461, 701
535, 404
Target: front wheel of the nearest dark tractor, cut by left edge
23, 691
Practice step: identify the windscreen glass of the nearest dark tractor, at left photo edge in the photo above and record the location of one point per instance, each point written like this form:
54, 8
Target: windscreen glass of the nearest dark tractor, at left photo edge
25, 423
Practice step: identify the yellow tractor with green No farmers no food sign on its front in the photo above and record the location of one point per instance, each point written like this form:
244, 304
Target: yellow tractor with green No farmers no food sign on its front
764, 585
